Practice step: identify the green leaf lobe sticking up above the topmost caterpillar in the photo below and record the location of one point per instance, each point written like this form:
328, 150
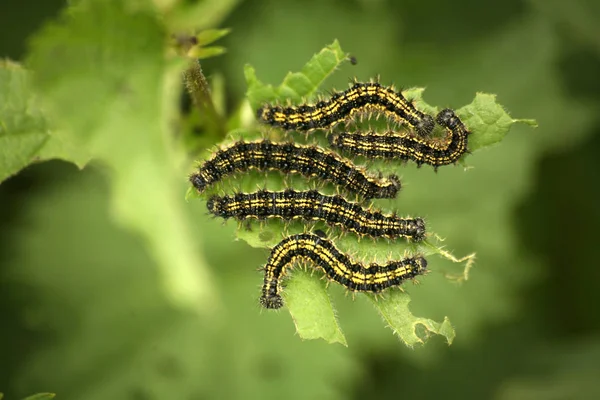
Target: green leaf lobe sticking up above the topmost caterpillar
296, 85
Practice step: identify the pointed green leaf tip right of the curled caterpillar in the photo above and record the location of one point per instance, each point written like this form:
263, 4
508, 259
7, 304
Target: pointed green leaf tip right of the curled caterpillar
488, 121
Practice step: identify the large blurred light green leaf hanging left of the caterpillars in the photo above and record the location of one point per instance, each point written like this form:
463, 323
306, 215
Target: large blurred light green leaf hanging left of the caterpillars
106, 61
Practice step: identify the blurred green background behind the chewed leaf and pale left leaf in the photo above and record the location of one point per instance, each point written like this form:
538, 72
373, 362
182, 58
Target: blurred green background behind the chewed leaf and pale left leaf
83, 313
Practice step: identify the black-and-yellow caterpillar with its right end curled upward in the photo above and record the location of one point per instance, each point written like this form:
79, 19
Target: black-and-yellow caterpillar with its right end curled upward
407, 147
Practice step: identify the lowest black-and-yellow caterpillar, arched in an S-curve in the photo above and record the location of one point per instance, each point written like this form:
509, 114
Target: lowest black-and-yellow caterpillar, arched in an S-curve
337, 266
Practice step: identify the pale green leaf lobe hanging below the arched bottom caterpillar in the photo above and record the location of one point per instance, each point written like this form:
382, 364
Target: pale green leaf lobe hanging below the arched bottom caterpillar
309, 304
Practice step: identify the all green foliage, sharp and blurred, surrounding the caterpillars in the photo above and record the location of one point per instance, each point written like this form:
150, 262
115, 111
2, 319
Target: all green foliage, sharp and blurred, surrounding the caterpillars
166, 308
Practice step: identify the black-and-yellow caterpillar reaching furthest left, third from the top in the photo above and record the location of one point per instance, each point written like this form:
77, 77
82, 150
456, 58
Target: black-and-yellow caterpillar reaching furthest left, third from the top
309, 161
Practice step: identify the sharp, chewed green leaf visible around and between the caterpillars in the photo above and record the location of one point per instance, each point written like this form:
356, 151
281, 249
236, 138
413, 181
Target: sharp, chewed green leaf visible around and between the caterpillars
312, 310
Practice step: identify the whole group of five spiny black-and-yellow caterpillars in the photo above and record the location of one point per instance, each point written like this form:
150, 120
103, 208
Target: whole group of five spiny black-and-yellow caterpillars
414, 144
